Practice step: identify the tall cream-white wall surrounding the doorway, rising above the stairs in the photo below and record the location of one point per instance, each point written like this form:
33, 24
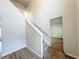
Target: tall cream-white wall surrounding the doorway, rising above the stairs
56, 8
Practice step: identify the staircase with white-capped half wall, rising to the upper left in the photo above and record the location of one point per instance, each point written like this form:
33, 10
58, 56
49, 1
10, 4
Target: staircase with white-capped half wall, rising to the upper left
37, 39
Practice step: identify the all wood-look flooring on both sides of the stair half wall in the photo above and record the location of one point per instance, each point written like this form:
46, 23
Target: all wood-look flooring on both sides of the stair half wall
54, 52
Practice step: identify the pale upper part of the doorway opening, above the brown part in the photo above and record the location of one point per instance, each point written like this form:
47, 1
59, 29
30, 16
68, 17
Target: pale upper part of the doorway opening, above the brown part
56, 27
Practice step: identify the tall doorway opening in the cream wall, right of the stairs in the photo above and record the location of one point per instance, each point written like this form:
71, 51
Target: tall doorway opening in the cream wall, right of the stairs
56, 32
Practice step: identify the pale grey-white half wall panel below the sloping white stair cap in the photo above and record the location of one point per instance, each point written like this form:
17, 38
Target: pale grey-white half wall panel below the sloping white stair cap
33, 39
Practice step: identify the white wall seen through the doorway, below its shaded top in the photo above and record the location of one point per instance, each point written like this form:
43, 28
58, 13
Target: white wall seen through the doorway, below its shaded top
56, 30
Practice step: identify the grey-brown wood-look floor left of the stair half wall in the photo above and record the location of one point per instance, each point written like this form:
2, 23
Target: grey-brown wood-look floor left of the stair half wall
22, 54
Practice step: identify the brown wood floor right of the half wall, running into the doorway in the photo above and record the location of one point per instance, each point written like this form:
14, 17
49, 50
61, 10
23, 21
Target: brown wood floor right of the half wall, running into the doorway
56, 51
